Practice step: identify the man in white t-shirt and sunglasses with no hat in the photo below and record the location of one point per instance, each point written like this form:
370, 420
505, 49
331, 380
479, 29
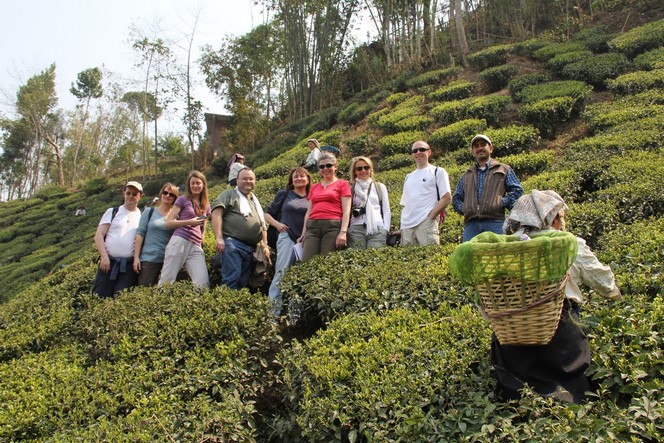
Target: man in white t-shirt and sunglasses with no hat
426, 194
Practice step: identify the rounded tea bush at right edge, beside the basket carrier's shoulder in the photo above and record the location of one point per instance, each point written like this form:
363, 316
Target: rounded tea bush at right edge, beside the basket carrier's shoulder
636, 256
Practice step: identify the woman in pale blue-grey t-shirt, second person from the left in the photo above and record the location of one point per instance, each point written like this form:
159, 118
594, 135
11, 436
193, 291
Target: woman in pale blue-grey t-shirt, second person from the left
149, 249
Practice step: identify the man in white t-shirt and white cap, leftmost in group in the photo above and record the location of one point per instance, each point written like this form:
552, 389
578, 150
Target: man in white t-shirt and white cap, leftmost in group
114, 240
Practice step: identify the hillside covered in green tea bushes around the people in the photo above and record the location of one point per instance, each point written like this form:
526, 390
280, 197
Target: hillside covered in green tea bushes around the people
404, 354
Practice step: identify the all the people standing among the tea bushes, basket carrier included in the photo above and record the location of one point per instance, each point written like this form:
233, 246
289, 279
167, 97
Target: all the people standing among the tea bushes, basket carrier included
327, 216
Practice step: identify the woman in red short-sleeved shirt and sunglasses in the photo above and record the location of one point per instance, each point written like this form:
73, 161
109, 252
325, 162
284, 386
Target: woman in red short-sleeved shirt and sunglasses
326, 221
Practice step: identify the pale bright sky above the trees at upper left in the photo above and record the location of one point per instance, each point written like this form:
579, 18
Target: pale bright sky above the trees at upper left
82, 34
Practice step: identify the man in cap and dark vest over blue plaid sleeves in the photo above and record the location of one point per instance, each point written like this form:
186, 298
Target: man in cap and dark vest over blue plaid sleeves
485, 191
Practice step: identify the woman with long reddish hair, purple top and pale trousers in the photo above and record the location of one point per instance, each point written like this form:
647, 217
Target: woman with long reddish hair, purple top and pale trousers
189, 218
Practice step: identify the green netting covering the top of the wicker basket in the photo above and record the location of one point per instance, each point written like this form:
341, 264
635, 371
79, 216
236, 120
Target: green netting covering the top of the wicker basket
545, 257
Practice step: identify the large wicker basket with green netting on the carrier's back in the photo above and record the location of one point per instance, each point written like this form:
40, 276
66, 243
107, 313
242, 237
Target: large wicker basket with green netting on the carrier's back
520, 284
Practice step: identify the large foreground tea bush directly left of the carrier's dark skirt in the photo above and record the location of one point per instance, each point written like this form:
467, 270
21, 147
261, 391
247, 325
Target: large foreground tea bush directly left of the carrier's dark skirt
389, 377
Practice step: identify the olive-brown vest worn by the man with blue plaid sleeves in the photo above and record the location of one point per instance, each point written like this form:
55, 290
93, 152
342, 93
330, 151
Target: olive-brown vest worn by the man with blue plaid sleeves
490, 205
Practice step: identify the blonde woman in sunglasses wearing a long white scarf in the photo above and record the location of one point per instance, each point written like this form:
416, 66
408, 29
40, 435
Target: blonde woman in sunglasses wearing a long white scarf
370, 213
